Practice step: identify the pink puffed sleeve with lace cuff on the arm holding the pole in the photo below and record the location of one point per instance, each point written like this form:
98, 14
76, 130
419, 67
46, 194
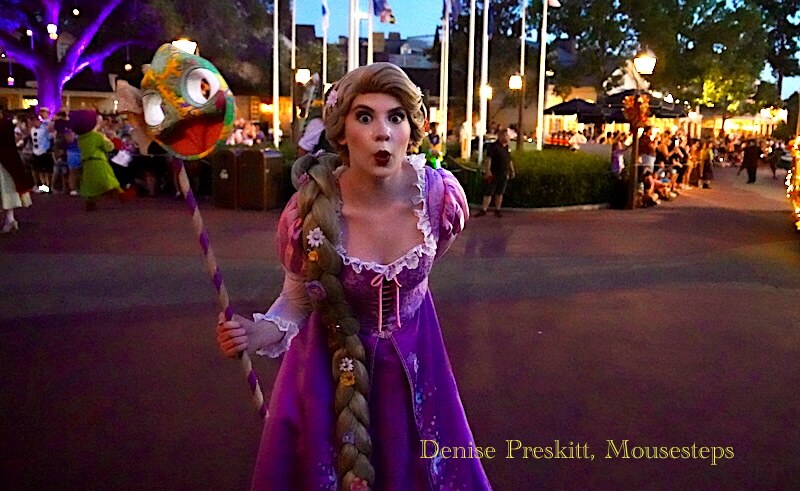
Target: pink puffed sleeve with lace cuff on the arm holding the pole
292, 308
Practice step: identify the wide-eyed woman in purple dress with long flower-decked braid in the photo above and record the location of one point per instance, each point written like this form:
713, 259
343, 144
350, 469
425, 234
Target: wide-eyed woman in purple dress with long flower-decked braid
367, 381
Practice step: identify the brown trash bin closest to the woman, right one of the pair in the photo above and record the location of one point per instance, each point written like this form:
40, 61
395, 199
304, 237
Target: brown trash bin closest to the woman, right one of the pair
260, 180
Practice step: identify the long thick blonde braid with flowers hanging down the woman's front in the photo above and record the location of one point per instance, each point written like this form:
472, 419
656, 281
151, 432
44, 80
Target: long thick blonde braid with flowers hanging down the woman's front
317, 201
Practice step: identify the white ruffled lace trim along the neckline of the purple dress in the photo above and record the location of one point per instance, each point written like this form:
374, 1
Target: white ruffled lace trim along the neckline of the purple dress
410, 260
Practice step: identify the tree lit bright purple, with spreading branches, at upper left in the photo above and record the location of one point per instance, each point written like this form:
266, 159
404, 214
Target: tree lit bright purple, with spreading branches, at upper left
101, 29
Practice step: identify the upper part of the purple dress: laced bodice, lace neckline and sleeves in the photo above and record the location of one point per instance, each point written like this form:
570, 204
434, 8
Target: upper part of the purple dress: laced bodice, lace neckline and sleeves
382, 296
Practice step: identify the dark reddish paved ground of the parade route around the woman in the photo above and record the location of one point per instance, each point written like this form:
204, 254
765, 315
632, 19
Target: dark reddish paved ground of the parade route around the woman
674, 326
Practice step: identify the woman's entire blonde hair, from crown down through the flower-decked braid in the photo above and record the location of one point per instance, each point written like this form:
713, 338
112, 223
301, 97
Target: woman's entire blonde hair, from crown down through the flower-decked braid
317, 204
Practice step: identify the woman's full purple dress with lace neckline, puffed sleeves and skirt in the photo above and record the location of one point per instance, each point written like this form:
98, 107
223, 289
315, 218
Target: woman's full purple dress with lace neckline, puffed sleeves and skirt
413, 394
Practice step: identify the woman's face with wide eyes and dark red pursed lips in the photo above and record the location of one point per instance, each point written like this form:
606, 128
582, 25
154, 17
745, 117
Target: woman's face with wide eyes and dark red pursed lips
376, 133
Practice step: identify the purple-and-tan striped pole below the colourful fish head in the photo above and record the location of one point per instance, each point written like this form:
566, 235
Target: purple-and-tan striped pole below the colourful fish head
216, 279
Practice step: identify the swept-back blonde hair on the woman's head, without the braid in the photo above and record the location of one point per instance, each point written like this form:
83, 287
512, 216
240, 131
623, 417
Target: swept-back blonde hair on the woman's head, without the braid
378, 78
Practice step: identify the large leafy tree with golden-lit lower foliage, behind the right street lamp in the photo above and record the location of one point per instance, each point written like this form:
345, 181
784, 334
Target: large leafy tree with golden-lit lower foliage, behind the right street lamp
709, 51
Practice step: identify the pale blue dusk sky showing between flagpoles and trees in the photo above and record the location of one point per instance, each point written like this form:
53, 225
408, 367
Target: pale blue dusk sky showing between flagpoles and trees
414, 18
